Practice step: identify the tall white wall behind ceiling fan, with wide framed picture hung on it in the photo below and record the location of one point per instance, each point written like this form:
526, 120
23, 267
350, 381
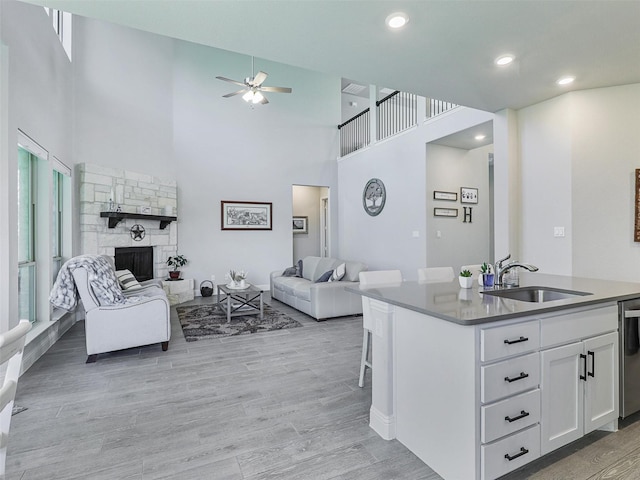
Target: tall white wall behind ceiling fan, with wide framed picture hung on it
153, 105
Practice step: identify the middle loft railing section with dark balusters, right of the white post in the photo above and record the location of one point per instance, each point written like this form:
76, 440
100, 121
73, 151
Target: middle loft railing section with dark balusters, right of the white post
396, 112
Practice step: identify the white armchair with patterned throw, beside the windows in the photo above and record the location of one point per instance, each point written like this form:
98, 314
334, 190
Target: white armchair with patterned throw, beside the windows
143, 320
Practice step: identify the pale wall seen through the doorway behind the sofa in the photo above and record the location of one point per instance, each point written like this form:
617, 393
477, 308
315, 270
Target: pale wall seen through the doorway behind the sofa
306, 203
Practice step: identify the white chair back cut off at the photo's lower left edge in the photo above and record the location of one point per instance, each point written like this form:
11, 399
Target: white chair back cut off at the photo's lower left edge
11, 349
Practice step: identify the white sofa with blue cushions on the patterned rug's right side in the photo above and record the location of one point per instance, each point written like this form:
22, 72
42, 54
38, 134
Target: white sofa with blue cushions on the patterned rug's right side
320, 300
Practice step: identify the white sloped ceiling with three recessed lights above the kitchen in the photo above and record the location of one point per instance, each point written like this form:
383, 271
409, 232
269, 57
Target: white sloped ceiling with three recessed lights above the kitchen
445, 52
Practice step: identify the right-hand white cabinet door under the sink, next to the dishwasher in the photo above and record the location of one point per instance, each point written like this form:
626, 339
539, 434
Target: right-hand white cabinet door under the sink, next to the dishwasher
601, 388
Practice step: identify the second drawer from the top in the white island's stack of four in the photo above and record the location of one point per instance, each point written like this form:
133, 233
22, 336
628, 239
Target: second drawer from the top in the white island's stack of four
509, 377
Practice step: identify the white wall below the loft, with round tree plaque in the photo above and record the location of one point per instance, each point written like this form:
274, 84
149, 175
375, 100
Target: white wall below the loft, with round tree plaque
387, 241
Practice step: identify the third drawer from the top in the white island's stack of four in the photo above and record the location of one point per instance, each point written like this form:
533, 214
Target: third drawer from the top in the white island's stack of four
510, 415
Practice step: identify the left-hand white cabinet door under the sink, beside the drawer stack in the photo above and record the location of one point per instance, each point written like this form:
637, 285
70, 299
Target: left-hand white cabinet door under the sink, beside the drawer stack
562, 391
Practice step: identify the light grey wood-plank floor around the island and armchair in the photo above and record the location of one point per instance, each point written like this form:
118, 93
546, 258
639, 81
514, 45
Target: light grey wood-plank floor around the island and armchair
280, 405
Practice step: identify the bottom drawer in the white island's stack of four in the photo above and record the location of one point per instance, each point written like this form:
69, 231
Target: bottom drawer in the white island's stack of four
510, 453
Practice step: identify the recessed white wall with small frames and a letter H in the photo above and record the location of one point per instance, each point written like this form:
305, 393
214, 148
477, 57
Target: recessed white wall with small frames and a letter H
459, 243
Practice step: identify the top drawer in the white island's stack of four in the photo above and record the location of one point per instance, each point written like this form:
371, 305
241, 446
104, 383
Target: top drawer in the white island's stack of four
508, 340
